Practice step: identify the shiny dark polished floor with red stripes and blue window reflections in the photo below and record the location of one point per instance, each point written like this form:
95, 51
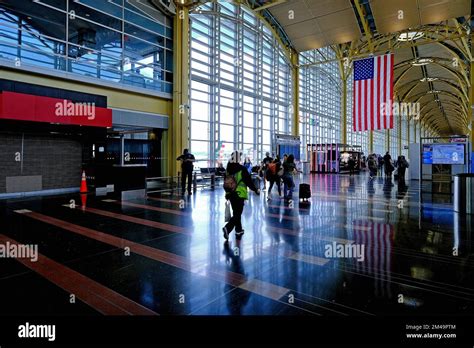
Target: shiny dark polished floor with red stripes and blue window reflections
164, 256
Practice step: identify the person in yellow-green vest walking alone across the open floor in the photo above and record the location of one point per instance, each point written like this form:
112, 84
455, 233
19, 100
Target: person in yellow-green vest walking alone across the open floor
238, 196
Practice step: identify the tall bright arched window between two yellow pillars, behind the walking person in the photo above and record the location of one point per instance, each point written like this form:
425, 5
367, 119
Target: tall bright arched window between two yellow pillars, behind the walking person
240, 84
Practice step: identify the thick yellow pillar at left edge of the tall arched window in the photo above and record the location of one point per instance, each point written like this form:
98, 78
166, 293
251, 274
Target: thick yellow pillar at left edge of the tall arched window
178, 139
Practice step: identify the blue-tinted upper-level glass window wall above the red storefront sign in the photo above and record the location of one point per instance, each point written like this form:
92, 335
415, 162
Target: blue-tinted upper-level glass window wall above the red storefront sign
123, 41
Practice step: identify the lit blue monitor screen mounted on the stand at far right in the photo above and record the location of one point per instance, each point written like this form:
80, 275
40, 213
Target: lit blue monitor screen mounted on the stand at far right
444, 153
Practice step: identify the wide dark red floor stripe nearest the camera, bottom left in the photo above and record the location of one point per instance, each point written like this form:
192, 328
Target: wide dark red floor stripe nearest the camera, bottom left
101, 298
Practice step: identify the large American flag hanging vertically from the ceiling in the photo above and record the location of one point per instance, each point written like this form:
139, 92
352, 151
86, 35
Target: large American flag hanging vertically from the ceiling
373, 93
